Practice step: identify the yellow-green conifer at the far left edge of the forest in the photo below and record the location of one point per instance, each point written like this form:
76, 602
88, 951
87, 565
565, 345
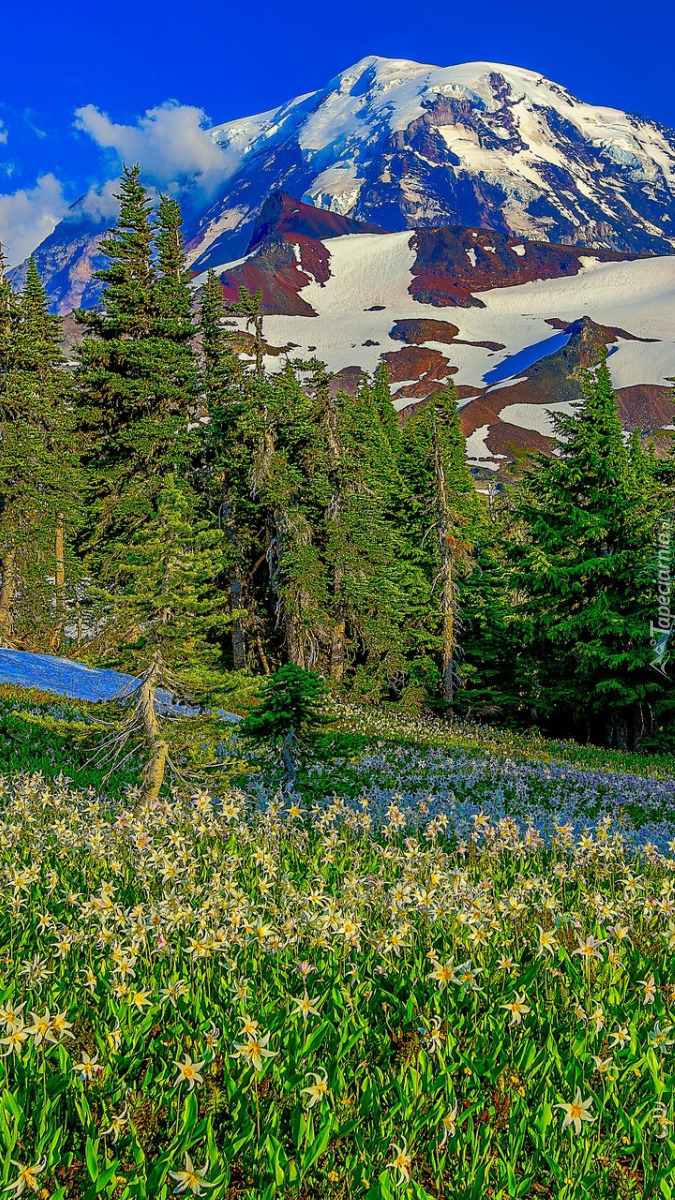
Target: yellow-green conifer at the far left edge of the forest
39, 472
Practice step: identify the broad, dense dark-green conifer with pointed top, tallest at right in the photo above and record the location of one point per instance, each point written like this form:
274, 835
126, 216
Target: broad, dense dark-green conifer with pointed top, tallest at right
589, 573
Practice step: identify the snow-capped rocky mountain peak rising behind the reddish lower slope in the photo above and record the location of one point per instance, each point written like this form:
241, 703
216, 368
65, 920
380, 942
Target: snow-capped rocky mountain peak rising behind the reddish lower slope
403, 146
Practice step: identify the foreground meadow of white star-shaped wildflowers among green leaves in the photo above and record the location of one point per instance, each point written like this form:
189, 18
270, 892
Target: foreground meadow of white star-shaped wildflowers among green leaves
449, 982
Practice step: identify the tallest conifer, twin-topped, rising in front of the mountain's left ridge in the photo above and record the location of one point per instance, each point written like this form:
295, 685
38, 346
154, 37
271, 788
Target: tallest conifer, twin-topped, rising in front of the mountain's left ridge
139, 375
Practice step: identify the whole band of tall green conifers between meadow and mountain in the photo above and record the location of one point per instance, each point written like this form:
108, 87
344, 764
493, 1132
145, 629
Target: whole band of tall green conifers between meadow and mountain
169, 508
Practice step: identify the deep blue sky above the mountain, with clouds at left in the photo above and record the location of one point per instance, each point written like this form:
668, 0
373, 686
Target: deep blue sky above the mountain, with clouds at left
112, 64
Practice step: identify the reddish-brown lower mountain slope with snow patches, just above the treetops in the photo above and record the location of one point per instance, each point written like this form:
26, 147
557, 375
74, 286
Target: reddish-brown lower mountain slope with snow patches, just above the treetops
525, 317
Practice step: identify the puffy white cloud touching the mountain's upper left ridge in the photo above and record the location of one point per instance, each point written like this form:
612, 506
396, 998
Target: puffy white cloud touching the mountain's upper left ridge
170, 142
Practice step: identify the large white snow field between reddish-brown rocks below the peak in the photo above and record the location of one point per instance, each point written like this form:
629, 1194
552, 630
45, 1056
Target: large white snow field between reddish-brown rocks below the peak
375, 269
